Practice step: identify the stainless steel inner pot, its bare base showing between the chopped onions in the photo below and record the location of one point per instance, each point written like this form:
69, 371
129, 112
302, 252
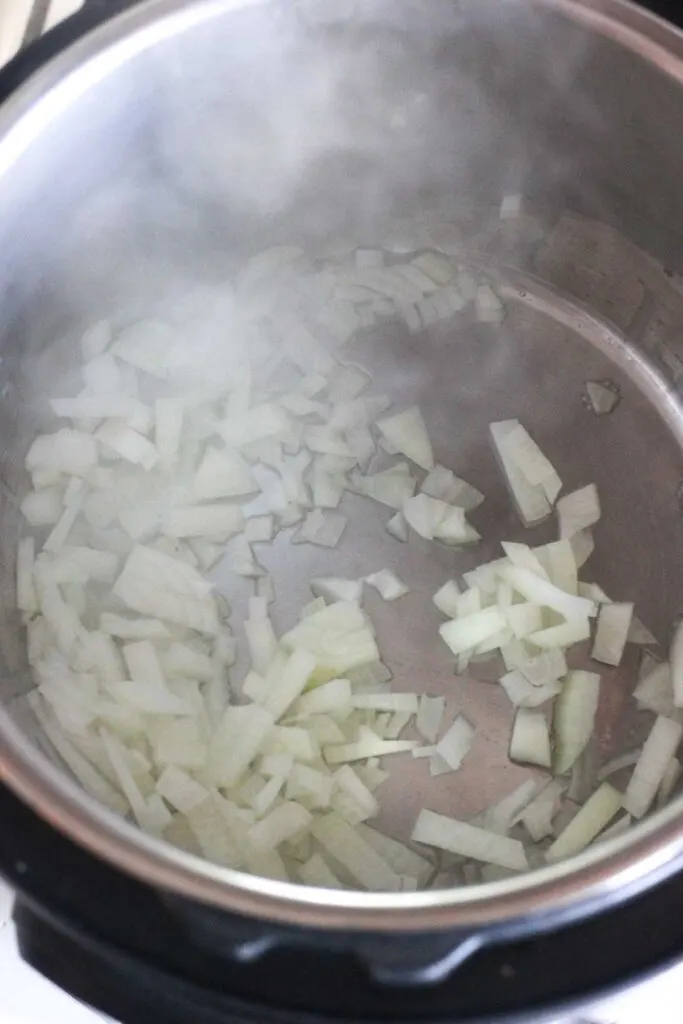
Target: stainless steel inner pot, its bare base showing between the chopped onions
159, 152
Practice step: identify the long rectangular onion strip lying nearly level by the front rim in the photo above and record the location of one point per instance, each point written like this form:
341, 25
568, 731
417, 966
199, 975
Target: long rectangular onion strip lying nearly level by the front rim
468, 841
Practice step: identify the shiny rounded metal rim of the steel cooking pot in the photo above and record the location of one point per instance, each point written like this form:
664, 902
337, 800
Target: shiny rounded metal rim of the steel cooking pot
542, 900
